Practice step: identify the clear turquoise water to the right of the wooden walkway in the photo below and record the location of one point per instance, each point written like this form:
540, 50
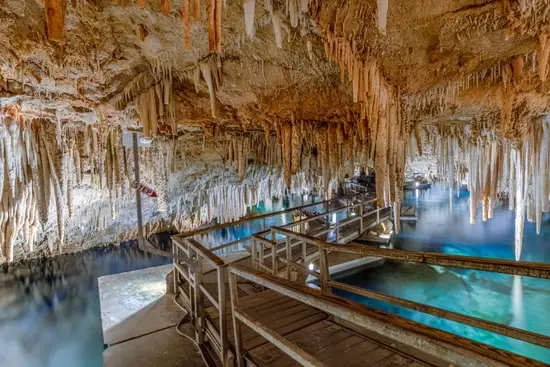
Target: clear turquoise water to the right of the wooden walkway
518, 301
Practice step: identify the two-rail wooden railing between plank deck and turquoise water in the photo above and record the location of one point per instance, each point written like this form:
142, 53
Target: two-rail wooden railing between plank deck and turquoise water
539, 270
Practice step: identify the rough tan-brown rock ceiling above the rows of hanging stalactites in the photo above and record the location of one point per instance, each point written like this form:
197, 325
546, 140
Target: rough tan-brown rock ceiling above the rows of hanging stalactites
447, 58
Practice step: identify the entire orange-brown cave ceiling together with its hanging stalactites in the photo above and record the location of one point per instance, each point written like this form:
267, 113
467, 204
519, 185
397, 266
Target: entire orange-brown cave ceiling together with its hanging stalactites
332, 85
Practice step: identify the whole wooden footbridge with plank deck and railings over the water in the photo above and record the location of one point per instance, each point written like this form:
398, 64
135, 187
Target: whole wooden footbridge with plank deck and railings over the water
250, 305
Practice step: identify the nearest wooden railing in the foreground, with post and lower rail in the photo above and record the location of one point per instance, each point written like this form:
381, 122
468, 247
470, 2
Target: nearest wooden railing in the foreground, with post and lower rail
454, 349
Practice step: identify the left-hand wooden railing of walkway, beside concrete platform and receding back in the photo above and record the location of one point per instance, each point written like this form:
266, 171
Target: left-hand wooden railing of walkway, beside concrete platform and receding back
191, 258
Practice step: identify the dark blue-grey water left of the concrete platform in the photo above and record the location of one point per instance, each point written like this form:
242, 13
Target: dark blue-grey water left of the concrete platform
49, 307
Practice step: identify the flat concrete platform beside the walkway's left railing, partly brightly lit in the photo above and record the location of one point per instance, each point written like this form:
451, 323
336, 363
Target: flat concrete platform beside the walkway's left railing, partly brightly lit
140, 319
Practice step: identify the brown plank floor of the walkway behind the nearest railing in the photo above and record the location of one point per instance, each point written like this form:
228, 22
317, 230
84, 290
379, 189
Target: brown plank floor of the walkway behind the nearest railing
314, 332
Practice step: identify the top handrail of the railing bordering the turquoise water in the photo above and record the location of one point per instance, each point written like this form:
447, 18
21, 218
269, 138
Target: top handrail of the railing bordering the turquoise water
525, 268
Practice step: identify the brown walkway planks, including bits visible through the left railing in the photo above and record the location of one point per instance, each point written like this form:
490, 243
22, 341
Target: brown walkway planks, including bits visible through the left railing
311, 329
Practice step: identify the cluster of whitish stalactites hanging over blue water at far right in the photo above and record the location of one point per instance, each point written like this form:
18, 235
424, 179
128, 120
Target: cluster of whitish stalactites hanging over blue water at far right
515, 163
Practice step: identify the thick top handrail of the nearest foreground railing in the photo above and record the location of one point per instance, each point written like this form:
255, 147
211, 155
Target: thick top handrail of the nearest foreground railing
408, 332
